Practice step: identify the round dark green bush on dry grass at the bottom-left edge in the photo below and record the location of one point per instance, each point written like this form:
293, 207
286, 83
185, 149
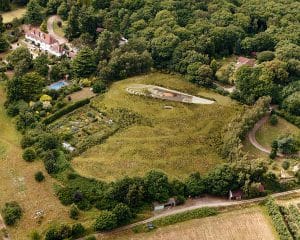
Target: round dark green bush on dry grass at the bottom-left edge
11, 212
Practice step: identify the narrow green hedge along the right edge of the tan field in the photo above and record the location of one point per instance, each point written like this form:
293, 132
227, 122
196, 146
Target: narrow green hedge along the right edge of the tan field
278, 221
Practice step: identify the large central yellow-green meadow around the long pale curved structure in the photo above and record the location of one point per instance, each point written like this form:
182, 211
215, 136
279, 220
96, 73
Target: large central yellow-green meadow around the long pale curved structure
178, 141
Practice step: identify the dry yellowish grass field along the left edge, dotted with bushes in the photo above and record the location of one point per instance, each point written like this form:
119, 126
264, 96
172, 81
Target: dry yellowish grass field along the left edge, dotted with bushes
18, 184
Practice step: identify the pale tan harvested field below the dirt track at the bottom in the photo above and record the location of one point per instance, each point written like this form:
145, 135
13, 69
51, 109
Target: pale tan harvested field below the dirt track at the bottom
246, 224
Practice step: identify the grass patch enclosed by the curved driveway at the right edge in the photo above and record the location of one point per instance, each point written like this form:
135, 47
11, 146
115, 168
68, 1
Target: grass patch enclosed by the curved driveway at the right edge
268, 133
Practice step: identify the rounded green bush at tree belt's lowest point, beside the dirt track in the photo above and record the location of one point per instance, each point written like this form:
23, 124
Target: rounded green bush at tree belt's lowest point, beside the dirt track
105, 221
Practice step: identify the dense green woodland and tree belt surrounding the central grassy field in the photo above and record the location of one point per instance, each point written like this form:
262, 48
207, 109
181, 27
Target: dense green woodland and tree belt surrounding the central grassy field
188, 37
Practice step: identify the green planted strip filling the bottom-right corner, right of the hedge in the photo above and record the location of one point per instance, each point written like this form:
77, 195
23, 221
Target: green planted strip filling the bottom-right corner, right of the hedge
292, 218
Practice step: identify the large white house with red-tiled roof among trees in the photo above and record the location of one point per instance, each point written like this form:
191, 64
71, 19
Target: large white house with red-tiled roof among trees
44, 41
